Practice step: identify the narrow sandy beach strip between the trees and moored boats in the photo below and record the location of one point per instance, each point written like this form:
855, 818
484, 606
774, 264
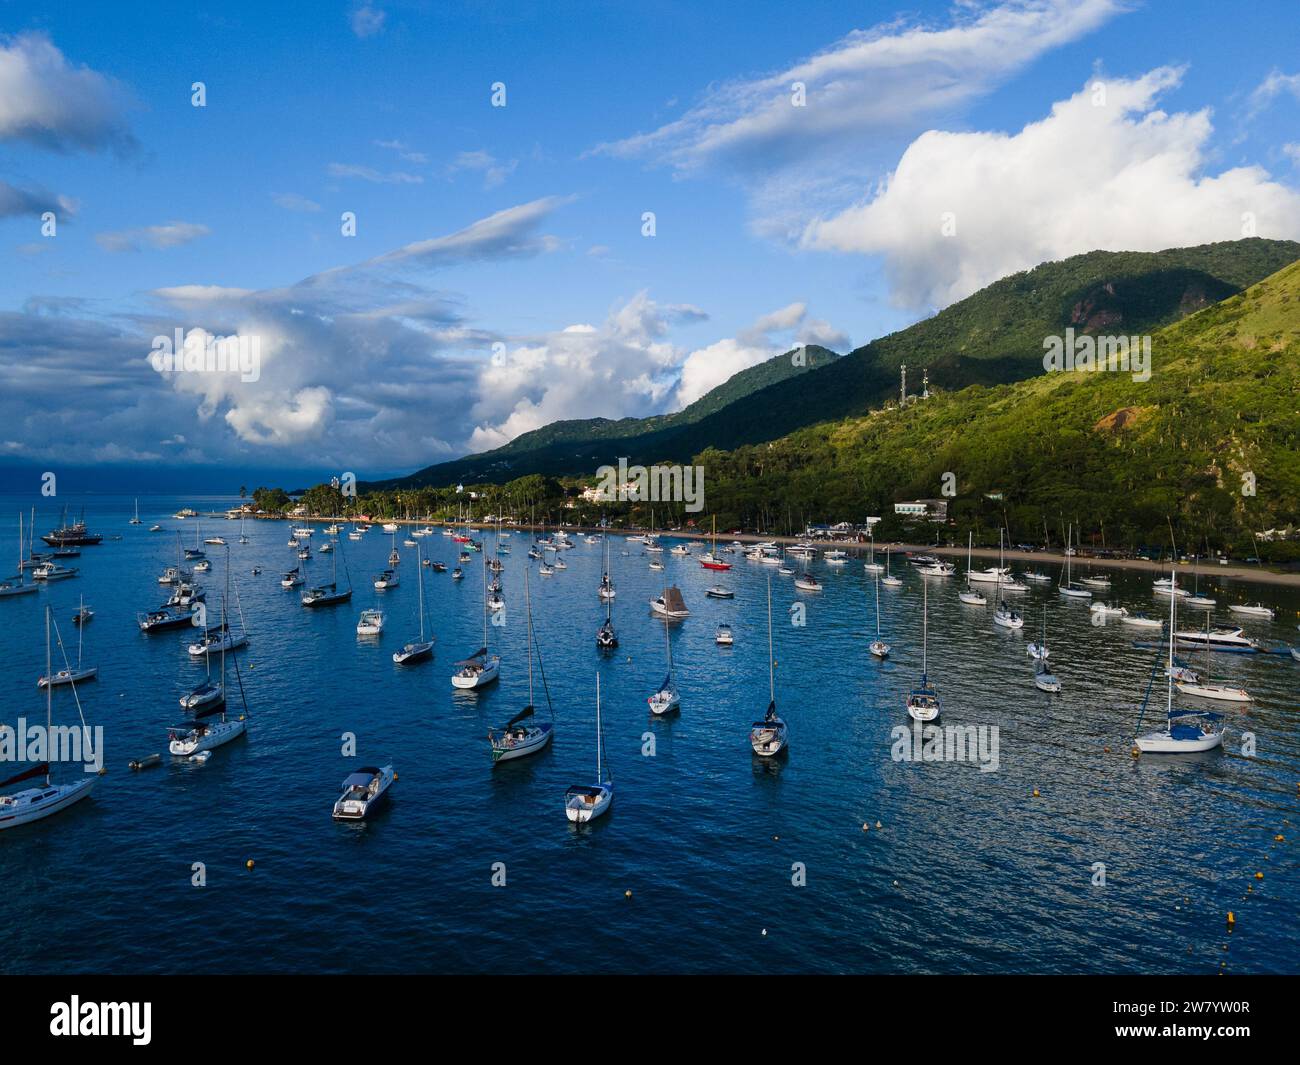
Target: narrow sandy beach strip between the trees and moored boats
1238, 572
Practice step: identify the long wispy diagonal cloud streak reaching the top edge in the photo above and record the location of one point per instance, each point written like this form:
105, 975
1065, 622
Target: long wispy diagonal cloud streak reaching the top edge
866, 84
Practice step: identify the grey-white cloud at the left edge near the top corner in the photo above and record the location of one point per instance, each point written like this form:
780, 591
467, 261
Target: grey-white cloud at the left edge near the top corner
51, 103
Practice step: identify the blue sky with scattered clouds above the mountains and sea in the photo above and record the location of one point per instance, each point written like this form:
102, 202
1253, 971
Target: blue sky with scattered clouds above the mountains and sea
522, 226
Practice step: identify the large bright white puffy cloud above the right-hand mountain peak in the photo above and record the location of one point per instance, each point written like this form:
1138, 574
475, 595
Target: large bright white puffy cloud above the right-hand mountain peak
1113, 172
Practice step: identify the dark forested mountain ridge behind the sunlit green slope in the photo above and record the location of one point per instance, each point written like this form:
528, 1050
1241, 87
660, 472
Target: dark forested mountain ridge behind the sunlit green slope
991, 339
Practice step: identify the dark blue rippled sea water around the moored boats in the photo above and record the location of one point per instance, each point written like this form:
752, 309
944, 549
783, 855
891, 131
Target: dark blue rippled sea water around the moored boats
734, 864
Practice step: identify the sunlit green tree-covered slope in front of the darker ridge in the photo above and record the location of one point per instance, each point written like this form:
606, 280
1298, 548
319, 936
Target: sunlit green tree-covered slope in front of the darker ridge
1099, 449
